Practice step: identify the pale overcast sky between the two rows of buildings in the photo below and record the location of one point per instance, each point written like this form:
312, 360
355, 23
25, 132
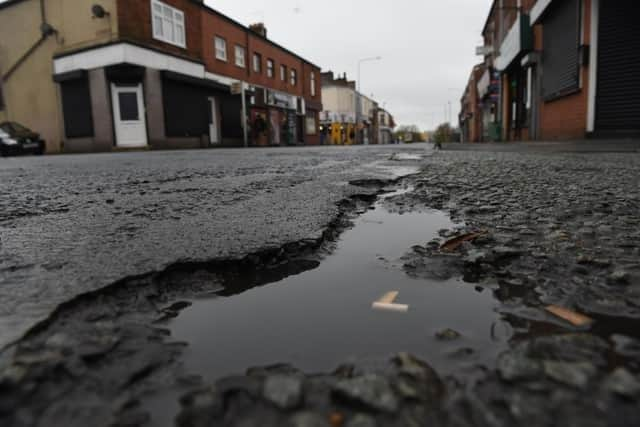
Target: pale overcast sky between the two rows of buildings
427, 46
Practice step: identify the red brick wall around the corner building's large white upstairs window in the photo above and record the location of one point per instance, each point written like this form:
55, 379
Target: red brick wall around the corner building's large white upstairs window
134, 23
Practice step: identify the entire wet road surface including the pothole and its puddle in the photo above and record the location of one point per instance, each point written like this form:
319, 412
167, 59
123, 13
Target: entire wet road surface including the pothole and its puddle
533, 321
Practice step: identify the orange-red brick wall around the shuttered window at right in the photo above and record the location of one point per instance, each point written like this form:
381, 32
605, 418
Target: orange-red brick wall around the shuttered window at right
566, 117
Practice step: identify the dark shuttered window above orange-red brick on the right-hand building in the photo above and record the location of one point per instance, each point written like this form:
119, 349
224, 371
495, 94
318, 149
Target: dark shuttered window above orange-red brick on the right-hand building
561, 37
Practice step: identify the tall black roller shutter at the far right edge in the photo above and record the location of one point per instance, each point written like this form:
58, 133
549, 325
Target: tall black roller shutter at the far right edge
618, 93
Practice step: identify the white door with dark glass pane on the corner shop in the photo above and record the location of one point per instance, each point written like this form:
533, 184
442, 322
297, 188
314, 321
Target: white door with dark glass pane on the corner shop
129, 116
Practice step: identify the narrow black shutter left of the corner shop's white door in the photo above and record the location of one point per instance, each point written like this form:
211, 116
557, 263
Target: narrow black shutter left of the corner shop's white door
76, 107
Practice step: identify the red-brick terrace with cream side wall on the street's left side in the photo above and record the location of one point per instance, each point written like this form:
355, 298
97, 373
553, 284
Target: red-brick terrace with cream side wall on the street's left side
103, 75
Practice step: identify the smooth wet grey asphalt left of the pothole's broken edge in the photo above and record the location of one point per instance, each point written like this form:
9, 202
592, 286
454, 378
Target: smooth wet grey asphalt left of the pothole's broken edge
74, 224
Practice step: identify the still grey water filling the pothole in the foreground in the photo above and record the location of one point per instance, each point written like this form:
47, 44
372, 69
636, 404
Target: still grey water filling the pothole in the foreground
322, 318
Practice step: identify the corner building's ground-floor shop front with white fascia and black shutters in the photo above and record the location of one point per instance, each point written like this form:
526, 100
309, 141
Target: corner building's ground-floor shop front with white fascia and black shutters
123, 96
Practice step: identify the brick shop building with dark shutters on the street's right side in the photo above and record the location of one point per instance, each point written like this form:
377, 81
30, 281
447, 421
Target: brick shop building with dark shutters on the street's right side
561, 69
